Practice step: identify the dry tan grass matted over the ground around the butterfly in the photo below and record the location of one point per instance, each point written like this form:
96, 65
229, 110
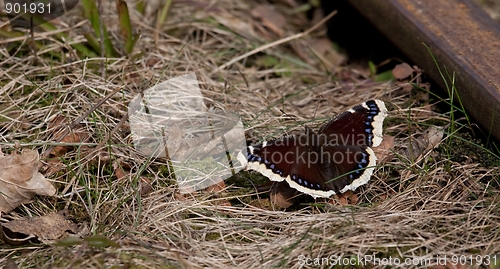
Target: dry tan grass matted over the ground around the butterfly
444, 204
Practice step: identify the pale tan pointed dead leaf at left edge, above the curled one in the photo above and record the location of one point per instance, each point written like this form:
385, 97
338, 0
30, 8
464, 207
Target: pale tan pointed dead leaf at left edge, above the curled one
20, 180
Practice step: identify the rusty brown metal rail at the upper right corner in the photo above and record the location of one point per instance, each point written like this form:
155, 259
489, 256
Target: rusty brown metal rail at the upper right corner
460, 35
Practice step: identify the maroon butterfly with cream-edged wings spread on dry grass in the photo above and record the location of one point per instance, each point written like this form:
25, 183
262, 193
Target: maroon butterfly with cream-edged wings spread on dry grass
336, 159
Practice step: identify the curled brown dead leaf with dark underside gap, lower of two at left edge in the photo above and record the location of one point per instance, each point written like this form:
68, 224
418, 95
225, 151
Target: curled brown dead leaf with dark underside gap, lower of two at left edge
44, 229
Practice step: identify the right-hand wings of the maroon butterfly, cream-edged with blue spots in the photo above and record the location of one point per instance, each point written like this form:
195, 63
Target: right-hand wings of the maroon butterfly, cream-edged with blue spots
349, 138
